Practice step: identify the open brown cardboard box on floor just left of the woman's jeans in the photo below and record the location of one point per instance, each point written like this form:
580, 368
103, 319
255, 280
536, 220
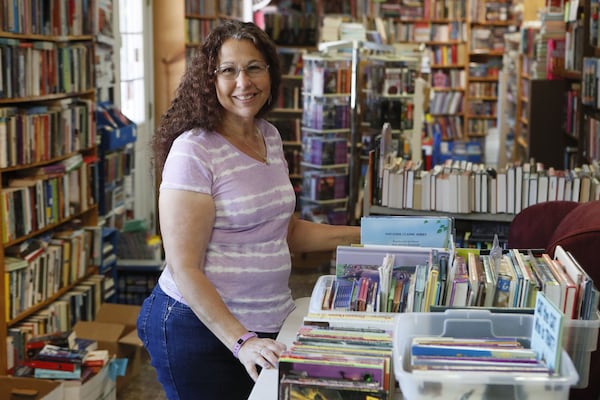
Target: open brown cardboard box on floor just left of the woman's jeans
115, 330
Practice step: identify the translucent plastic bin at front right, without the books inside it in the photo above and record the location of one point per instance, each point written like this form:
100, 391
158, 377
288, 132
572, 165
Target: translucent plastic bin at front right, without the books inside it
459, 385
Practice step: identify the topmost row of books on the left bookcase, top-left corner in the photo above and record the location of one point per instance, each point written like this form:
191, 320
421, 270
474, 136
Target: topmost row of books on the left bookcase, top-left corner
51, 18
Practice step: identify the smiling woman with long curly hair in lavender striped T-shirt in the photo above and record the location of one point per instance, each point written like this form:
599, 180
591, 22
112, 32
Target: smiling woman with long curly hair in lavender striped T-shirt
226, 213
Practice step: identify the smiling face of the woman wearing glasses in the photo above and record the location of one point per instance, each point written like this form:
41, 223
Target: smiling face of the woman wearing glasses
243, 82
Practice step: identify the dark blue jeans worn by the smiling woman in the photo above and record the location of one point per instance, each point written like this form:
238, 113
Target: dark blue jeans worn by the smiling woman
191, 363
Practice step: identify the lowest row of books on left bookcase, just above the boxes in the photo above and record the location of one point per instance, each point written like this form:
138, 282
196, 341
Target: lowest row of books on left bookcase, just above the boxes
79, 304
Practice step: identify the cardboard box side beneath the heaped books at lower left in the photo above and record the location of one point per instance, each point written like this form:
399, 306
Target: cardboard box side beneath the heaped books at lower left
99, 387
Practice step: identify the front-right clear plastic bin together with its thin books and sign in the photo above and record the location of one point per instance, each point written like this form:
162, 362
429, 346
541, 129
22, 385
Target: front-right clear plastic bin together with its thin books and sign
480, 354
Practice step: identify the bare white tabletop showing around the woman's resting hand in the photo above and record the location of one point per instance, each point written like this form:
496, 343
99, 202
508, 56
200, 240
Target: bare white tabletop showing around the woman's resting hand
266, 385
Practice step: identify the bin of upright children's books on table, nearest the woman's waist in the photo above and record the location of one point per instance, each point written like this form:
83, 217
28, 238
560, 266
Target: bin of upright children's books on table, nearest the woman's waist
374, 283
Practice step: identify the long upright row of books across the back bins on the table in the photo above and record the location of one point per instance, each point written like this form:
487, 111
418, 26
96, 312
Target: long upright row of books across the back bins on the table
510, 279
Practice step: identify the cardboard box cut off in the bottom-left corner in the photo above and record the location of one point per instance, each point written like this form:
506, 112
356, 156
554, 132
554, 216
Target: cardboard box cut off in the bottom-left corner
46, 389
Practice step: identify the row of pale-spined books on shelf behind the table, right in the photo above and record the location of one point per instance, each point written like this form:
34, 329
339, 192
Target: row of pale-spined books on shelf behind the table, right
465, 187
